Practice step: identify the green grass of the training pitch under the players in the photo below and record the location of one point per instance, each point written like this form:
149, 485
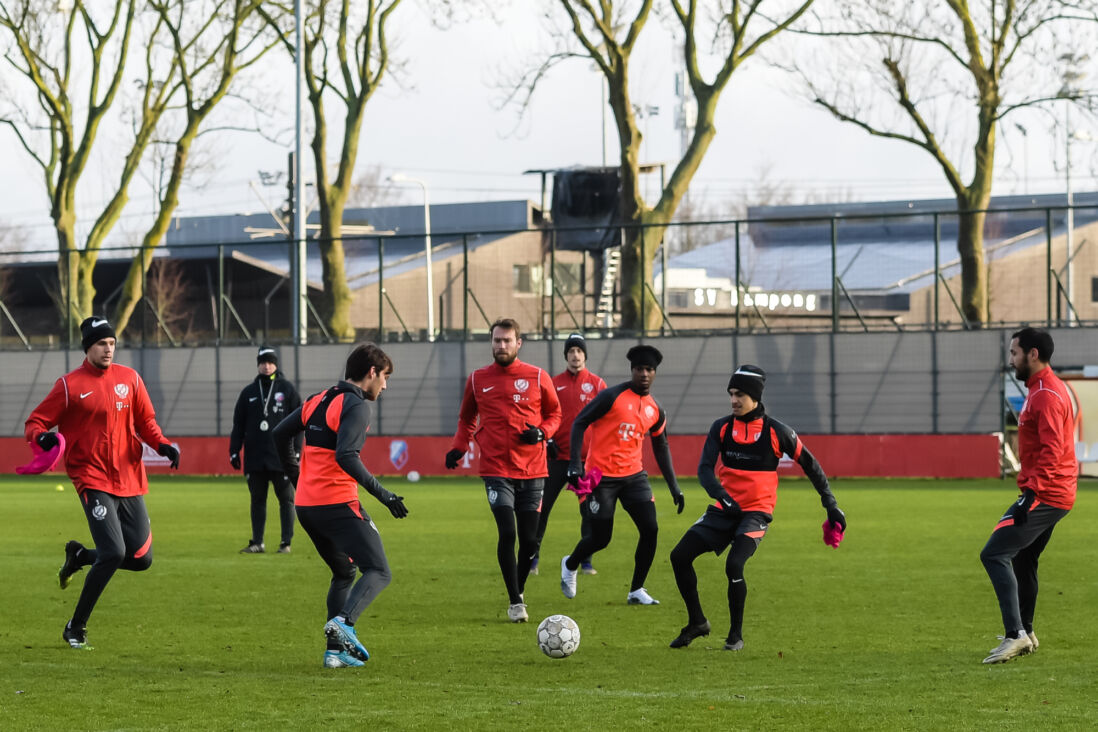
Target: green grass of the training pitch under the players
886, 634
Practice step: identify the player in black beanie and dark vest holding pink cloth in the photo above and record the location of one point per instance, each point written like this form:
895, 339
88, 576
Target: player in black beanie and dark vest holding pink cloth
740, 469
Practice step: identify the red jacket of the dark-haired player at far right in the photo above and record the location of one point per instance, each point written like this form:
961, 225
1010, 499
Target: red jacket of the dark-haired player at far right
1047, 442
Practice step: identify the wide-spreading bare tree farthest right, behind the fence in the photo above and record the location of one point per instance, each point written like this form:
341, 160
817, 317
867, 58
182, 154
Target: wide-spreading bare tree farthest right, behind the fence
910, 72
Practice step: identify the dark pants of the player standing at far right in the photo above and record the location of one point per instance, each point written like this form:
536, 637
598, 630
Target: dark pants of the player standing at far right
1011, 559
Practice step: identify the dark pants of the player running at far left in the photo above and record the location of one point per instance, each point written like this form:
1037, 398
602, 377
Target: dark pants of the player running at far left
124, 539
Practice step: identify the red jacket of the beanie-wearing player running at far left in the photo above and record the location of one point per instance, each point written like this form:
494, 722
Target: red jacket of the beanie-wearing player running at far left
104, 415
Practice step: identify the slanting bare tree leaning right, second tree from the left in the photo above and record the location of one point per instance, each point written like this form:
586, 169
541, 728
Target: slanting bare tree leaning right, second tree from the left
212, 41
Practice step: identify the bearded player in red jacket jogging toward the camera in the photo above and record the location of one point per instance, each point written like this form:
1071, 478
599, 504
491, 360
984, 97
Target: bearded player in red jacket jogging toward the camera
513, 409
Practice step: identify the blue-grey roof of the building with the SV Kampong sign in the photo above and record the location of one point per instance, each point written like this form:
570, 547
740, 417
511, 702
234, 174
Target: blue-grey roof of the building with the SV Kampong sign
880, 246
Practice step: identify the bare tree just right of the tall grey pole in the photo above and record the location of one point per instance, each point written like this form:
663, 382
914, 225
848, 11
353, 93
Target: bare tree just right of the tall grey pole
346, 57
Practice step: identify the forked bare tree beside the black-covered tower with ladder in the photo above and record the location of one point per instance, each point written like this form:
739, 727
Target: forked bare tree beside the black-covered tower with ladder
608, 32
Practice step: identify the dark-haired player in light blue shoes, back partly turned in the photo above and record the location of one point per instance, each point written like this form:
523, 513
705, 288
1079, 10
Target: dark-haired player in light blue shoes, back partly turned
335, 423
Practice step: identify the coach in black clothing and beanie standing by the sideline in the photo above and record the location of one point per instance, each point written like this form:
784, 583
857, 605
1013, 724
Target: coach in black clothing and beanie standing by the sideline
263, 404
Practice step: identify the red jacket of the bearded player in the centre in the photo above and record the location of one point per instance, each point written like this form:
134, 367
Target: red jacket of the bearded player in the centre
498, 404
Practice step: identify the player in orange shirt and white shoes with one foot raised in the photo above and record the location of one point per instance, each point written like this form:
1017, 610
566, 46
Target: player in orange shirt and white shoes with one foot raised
620, 419
